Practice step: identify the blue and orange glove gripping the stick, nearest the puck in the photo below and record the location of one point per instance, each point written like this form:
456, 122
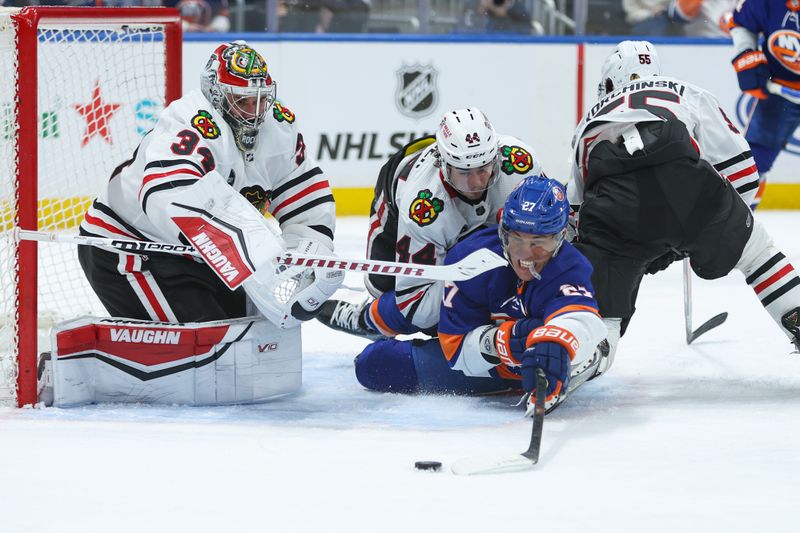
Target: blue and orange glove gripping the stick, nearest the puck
552, 349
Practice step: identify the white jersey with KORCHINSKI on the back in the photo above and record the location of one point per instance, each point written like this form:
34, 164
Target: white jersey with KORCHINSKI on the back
656, 98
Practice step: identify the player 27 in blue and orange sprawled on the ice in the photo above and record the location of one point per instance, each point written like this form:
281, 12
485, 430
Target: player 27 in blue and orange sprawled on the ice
498, 328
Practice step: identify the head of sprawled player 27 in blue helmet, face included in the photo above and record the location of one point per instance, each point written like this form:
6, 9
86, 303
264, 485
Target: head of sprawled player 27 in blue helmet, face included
533, 225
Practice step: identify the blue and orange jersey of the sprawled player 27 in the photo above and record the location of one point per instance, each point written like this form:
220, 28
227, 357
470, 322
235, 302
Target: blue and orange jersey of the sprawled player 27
563, 296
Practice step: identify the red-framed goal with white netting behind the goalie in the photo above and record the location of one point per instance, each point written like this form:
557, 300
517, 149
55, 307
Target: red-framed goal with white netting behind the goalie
82, 86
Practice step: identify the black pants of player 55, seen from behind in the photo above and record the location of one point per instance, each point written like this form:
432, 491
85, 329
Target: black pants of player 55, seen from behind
640, 207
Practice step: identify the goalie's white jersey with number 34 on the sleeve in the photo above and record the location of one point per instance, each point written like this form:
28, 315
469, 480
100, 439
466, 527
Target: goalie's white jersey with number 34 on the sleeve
189, 141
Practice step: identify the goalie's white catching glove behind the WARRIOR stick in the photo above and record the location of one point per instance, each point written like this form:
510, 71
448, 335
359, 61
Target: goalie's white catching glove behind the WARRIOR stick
315, 285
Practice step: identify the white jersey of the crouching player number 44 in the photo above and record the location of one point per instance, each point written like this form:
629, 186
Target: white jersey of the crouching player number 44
433, 217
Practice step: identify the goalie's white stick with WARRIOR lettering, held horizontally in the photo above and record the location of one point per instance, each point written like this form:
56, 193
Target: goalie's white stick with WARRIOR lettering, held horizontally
472, 265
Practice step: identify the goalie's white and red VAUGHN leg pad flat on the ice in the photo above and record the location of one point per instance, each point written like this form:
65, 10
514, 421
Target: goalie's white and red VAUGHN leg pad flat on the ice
237, 361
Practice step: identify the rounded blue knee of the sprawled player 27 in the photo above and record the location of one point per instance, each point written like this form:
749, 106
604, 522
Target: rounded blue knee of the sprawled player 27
388, 366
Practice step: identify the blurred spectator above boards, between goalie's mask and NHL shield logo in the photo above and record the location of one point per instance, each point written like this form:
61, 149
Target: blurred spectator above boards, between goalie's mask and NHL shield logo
324, 16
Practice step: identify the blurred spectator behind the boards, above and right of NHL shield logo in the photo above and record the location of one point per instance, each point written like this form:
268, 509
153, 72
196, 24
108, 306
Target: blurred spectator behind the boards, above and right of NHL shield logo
495, 16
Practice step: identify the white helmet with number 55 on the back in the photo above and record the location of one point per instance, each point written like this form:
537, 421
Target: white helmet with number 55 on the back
628, 61
